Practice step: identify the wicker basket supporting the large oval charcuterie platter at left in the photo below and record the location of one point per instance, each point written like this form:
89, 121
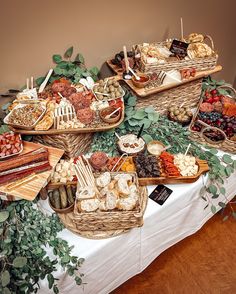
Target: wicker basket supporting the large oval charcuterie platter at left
73, 144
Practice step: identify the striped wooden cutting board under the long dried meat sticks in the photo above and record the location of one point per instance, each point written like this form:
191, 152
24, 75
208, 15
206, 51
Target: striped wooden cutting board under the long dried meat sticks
31, 189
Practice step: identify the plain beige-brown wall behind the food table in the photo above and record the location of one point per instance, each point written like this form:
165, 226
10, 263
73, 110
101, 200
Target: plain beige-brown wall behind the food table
32, 31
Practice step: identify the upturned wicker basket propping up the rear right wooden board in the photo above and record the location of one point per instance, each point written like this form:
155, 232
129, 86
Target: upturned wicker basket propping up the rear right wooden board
188, 93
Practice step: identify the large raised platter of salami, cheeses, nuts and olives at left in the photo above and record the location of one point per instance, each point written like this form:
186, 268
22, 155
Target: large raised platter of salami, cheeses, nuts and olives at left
65, 106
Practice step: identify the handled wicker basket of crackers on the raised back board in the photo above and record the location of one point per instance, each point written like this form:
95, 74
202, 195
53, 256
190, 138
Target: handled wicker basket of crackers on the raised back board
205, 63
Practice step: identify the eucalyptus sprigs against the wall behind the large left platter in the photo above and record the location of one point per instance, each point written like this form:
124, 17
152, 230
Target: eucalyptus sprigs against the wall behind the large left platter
72, 70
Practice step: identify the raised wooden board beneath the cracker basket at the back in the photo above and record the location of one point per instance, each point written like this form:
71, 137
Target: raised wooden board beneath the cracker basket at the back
142, 92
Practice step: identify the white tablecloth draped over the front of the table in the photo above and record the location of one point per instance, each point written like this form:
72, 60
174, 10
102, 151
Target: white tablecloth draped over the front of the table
111, 262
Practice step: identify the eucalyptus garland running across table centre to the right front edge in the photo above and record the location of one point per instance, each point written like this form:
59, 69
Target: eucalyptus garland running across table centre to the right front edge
158, 127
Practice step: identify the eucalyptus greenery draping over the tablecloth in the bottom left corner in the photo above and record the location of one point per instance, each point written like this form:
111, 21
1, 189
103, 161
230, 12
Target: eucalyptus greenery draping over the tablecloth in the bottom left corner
25, 234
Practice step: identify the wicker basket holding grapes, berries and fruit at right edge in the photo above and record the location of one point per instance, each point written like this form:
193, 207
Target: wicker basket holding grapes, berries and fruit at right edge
225, 144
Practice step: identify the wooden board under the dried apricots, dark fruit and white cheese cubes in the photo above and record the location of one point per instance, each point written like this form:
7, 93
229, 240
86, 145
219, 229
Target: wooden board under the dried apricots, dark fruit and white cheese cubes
203, 168
